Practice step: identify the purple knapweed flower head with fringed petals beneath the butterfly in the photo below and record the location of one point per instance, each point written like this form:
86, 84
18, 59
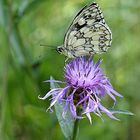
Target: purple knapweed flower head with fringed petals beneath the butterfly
86, 86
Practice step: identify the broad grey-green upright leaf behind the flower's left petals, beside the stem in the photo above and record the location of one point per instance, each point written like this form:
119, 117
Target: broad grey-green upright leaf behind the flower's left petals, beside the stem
67, 123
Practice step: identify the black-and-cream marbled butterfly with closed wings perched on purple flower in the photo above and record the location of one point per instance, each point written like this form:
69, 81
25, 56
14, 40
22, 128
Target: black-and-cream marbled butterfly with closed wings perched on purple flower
87, 35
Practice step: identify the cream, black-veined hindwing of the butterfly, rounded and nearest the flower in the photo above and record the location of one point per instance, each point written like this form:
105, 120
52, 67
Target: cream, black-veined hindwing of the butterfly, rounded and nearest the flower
90, 40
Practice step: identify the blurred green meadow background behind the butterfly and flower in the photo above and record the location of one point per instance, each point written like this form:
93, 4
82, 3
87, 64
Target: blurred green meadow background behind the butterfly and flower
24, 25
